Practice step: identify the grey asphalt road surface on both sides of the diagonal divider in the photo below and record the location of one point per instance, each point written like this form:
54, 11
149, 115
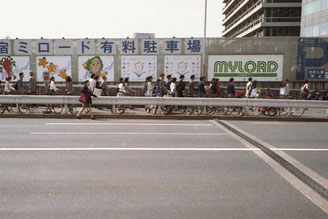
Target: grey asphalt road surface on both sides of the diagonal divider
53, 168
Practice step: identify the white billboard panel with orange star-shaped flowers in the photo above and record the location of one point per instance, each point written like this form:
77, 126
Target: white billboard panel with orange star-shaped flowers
54, 66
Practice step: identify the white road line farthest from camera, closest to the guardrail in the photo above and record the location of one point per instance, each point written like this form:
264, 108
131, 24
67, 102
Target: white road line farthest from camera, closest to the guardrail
131, 124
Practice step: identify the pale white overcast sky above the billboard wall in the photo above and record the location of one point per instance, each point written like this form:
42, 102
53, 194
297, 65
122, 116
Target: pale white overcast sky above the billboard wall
27, 19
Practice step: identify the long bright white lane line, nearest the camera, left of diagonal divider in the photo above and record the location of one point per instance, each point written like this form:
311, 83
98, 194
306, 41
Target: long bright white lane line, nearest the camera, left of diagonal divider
129, 149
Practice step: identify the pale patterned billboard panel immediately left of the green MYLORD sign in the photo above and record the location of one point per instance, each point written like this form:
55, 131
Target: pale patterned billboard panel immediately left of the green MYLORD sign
183, 65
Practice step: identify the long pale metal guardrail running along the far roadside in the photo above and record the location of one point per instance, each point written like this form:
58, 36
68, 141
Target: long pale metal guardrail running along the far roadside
246, 102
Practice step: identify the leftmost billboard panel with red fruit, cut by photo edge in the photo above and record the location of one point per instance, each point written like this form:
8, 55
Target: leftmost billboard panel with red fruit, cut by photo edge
11, 66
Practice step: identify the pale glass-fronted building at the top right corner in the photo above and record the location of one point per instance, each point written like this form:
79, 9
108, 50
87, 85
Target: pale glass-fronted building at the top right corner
314, 18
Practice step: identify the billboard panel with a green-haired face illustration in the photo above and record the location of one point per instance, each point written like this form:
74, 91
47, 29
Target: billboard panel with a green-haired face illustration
98, 65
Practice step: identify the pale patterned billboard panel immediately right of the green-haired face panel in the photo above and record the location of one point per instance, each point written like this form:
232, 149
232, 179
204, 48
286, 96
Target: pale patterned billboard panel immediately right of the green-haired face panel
138, 68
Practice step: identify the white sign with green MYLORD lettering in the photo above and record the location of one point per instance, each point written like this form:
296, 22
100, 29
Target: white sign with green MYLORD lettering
241, 67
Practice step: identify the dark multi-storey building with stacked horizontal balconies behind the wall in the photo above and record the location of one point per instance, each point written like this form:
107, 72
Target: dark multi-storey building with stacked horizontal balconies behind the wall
260, 18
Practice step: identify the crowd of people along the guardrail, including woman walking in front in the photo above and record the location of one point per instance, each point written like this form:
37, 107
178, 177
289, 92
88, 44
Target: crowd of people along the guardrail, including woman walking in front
169, 86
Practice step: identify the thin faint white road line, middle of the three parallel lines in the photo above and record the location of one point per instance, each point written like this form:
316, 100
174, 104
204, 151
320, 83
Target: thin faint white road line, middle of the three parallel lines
121, 133
